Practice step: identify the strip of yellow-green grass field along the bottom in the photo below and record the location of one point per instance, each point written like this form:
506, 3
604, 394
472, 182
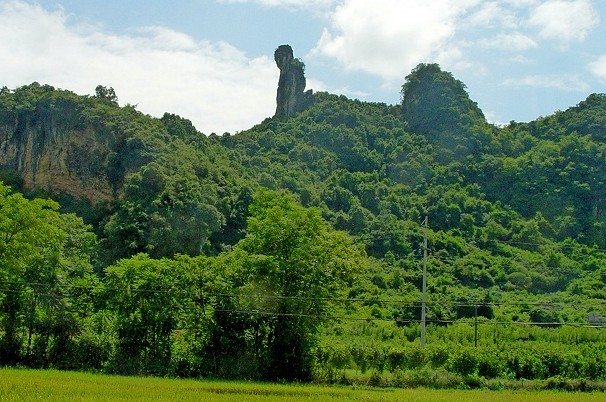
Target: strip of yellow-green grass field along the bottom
50, 385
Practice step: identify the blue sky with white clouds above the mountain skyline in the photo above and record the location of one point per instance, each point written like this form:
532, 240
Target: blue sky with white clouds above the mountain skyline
211, 61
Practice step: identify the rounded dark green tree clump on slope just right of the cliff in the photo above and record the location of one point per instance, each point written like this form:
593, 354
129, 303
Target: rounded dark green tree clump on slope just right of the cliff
164, 213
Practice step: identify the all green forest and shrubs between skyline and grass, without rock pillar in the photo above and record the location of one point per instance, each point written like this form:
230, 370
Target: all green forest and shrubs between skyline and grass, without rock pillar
294, 250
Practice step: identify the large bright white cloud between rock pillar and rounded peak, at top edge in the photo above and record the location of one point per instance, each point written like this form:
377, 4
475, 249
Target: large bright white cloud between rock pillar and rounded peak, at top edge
390, 37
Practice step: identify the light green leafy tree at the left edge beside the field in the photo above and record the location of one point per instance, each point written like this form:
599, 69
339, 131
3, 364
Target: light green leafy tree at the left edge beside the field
44, 256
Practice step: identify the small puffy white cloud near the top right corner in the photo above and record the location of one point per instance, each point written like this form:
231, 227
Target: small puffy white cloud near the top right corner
566, 21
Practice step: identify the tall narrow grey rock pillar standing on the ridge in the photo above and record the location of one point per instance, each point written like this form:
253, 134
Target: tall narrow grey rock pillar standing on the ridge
292, 97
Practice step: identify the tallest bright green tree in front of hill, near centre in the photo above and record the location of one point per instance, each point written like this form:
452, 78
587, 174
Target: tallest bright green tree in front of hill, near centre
292, 260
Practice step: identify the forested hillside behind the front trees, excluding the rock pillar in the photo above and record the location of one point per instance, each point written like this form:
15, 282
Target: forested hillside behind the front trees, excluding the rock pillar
374, 170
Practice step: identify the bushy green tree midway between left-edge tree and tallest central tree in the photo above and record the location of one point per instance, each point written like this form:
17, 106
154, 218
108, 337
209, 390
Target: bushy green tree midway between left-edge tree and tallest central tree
143, 296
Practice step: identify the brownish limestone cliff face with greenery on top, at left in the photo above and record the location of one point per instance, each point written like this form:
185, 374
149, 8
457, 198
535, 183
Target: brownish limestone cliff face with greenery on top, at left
46, 140
